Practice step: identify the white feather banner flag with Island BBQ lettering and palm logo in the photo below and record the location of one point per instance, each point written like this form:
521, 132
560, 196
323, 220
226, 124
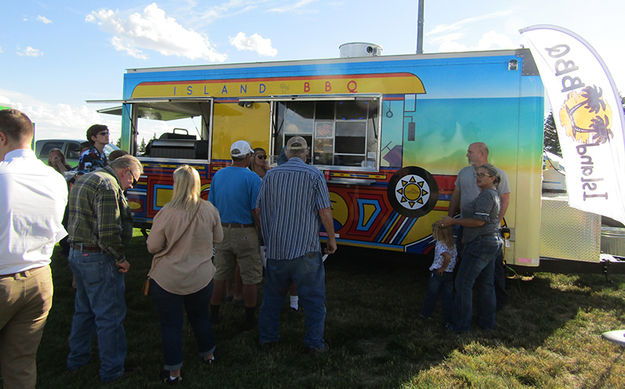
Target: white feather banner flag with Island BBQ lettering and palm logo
588, 113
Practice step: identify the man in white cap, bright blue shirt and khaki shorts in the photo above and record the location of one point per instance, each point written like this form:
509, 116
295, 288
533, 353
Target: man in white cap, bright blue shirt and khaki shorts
233, 191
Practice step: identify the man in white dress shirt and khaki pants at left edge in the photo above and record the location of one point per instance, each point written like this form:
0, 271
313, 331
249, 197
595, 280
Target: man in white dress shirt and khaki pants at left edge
32, 201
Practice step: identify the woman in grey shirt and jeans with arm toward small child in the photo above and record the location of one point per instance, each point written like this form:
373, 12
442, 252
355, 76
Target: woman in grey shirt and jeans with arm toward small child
481, 242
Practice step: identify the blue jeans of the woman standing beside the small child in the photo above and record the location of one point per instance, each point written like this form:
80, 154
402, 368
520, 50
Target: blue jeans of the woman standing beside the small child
477, 268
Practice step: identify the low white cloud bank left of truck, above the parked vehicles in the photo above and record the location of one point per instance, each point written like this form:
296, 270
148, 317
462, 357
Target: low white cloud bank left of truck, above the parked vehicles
59, 120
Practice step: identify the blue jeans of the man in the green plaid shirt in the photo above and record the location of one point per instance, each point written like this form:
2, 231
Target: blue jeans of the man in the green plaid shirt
99, 309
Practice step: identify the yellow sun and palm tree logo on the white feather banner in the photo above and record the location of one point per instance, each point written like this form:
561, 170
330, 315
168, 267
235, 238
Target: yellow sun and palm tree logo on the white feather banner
586, 116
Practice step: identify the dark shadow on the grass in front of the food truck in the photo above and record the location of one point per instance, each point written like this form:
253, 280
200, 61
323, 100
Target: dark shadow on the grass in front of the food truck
376, 338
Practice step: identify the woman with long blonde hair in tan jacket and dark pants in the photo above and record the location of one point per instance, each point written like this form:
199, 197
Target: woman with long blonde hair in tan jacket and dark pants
181, 277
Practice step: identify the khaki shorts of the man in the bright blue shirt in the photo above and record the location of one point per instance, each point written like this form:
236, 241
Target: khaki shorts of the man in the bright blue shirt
240, 246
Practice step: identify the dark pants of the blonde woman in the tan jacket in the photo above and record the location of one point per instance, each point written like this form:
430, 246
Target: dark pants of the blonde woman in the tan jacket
170, 311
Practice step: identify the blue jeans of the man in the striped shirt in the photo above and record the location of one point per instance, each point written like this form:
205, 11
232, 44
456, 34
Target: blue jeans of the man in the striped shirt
308, 274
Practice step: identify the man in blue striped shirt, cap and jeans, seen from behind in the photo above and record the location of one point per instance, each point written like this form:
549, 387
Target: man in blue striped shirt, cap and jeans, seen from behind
292, 203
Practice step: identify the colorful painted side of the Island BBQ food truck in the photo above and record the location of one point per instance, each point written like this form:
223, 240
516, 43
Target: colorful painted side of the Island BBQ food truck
431, 108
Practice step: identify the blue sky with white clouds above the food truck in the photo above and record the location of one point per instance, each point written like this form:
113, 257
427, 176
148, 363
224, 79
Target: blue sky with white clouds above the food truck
56, 55
